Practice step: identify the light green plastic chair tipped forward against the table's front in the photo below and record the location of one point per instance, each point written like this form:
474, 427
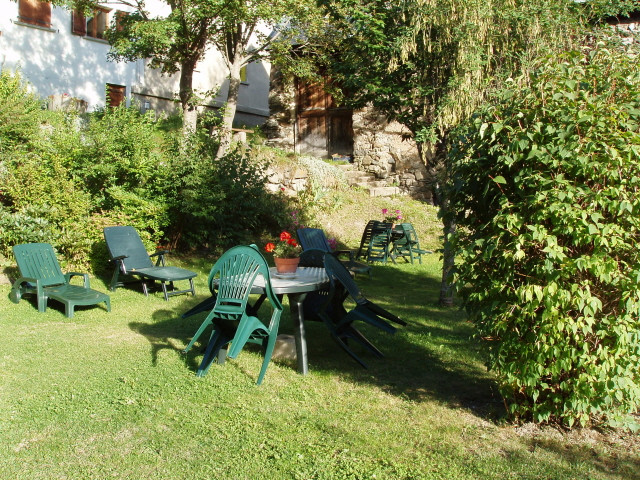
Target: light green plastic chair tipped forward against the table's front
232, 278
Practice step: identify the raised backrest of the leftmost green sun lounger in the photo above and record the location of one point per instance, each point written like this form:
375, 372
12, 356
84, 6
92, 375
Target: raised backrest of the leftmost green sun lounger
38, 260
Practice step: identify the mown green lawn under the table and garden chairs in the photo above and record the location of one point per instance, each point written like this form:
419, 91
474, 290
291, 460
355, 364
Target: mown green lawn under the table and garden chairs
109, 395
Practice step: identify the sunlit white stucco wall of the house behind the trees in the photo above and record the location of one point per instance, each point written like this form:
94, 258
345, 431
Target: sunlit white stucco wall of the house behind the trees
54, 61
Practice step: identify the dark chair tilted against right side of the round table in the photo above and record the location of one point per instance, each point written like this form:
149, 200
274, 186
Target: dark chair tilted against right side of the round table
340, 321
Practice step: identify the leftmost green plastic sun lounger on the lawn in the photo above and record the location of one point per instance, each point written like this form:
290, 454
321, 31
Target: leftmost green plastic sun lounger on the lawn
40, 275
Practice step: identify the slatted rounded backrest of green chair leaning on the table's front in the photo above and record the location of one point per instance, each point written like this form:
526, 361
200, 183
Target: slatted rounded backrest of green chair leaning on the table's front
232, 277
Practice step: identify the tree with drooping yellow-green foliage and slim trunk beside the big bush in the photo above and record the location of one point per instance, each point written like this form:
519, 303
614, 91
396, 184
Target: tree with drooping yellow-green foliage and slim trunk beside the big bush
430, 63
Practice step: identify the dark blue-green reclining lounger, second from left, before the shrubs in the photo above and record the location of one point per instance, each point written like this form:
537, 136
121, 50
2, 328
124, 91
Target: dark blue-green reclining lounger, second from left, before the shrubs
131, 259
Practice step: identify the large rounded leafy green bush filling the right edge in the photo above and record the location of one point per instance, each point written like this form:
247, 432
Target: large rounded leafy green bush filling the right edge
546, 193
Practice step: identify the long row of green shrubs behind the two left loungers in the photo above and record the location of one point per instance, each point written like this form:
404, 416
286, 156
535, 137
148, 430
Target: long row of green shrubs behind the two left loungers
64, 177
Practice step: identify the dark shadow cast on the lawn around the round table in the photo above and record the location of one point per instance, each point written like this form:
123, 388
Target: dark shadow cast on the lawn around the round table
434, 357
